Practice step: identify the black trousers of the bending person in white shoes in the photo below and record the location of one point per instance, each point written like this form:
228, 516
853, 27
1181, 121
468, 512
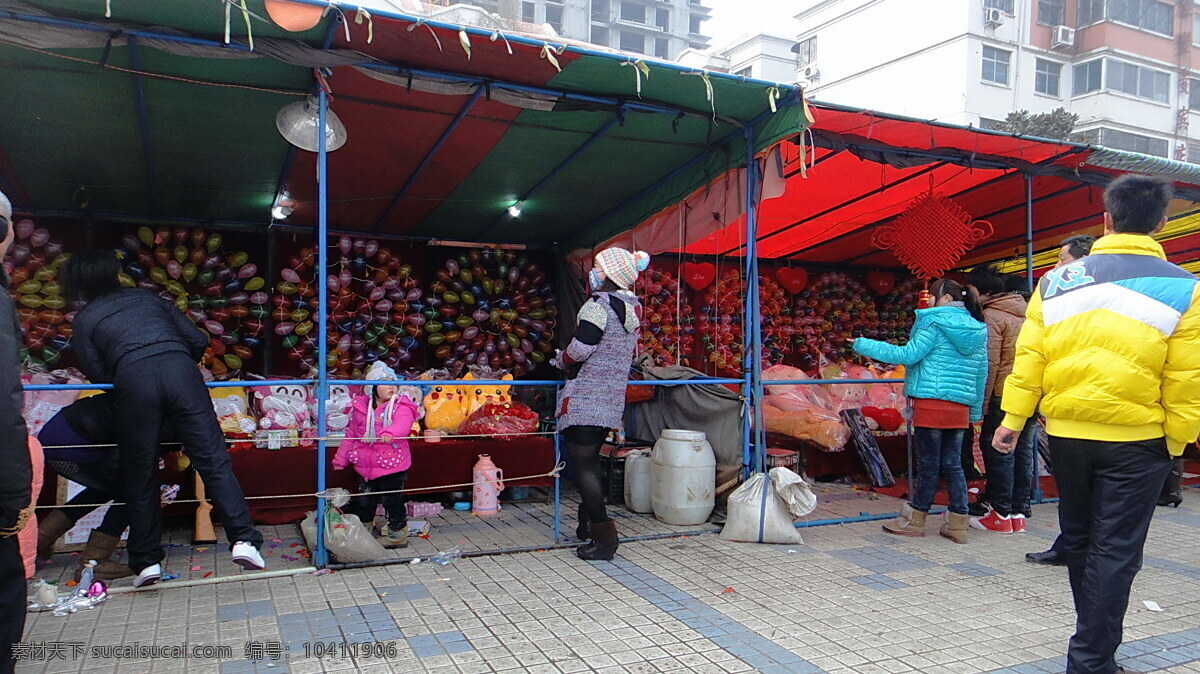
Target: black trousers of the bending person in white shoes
169, 390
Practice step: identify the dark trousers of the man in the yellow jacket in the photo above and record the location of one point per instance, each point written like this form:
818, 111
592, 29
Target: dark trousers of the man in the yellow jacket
1107, 494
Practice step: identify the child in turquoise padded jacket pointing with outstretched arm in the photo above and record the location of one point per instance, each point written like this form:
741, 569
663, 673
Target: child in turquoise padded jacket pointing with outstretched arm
947, 370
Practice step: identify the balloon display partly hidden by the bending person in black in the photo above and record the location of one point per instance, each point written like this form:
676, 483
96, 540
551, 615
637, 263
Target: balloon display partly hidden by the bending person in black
220, 290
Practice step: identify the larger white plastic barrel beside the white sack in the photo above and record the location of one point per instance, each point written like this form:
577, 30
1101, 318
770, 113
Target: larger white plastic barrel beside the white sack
685, 478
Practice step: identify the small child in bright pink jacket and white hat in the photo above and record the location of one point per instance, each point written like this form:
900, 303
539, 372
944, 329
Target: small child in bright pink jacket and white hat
376, 446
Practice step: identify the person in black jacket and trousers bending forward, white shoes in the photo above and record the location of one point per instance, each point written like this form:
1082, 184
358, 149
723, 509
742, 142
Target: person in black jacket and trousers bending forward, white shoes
148, 350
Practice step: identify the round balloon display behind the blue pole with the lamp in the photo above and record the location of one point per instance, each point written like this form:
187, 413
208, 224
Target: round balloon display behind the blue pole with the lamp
374, 309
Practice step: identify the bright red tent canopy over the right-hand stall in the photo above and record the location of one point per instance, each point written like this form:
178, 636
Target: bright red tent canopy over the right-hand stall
860, 170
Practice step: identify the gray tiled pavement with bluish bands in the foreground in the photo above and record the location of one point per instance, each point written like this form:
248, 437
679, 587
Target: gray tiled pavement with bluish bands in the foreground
851, 599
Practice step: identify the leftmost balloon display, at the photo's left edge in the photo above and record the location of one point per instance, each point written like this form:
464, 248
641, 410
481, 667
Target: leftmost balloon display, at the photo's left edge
33, 266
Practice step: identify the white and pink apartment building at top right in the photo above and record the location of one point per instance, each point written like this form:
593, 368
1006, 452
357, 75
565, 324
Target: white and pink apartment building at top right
1125, 67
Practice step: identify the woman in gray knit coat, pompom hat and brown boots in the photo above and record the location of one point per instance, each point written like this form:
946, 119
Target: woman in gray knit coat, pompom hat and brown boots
592, 402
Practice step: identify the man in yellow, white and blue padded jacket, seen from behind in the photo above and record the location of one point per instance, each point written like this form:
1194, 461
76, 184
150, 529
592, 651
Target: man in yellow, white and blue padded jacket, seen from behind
1111, 350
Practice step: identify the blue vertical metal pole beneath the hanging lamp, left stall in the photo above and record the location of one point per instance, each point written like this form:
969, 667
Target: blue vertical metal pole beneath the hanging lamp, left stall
322, 556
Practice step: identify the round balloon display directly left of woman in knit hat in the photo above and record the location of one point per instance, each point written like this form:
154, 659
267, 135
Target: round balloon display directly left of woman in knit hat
490, 308
